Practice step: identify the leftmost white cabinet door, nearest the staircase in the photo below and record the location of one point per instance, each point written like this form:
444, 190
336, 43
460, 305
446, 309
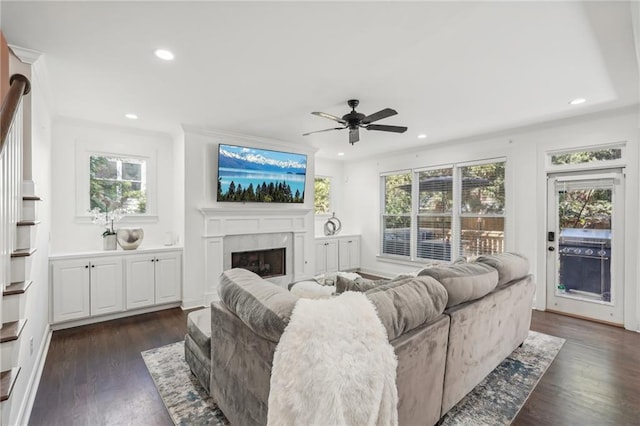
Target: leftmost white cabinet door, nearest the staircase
70, 290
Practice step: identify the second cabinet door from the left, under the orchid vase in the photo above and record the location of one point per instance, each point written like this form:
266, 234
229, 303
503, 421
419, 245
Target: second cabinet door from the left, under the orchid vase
106, 286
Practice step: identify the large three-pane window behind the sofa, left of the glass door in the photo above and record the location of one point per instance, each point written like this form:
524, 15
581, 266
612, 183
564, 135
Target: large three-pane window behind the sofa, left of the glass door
441, 213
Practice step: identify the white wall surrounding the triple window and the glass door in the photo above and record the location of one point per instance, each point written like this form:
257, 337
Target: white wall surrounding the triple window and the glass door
525, 151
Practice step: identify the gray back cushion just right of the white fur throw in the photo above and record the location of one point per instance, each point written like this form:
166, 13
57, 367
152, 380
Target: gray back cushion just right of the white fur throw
407, 303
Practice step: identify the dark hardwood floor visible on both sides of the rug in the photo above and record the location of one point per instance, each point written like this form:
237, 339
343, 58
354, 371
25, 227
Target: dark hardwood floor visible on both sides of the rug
94, 375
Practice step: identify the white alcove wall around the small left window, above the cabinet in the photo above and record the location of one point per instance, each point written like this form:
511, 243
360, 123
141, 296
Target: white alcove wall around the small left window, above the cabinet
73, 234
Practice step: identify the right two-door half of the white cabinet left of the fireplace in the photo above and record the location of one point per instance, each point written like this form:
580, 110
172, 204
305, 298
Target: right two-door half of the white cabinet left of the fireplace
153, 279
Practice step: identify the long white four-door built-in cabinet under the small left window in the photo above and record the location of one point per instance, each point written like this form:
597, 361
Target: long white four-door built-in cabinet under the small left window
86, 286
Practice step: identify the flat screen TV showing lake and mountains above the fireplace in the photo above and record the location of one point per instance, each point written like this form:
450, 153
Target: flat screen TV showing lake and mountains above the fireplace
260, 175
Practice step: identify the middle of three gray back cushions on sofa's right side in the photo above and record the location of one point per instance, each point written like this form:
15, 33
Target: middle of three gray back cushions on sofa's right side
464, 281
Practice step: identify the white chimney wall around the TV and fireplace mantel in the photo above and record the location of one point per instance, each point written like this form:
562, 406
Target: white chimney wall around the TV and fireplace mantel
201, 159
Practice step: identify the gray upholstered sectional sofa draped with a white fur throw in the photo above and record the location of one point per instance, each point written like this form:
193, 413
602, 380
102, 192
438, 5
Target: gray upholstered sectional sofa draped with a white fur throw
449, 326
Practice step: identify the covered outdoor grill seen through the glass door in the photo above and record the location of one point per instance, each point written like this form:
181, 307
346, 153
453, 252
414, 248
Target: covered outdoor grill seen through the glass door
585, 261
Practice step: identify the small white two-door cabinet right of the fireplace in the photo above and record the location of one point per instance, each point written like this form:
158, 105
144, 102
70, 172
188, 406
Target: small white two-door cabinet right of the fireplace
337, 253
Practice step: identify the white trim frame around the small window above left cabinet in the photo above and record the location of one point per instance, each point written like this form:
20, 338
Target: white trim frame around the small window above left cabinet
84, 152
